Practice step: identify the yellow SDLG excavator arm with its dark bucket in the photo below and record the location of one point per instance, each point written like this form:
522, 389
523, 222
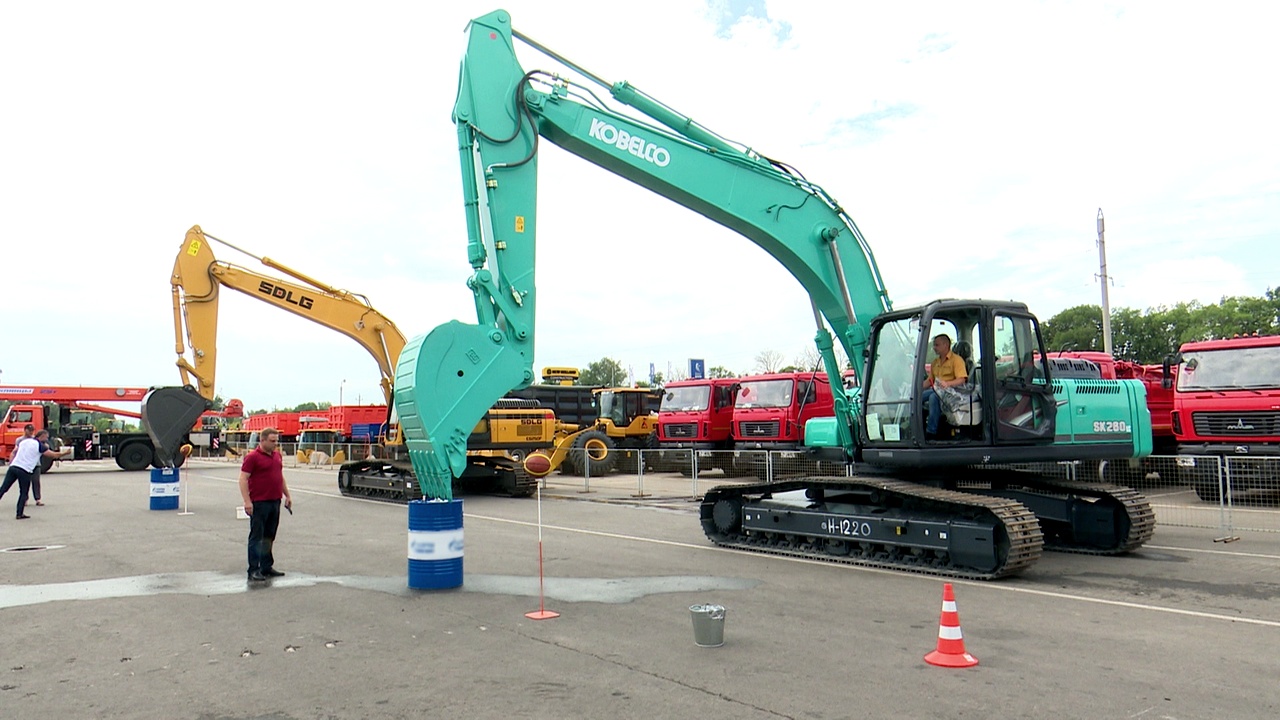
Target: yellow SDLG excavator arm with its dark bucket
198, 280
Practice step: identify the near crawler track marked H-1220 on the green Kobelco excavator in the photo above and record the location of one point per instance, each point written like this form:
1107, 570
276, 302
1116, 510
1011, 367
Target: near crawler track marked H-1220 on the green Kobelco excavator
879, 523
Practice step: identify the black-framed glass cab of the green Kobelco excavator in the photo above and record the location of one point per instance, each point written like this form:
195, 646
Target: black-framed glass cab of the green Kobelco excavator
1007, 399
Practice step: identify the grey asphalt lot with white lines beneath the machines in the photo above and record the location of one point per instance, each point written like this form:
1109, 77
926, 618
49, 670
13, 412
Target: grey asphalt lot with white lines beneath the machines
115, 610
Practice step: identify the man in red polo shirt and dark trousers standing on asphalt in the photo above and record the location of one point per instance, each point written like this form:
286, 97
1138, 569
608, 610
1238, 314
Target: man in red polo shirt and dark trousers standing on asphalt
262, 487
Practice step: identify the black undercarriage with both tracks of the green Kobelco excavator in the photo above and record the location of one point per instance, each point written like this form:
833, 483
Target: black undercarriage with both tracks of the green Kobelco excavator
995, 527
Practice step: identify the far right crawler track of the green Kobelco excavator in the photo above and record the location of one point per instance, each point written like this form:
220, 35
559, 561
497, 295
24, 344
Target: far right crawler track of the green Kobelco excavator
1077, 517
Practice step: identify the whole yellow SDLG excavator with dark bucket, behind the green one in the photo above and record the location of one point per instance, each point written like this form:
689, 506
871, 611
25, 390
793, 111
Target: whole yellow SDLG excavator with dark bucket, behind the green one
497, 446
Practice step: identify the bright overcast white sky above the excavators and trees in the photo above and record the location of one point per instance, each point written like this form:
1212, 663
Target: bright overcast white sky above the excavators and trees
972, 144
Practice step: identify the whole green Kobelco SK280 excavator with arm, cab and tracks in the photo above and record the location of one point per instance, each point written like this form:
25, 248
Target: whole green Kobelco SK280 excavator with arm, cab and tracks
929, 503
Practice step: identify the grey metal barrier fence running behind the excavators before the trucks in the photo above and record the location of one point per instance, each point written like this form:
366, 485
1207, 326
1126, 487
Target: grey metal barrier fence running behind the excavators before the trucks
1223, 494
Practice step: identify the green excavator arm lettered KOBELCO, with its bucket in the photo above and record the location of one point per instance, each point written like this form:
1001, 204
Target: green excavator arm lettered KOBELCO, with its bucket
450, 377
